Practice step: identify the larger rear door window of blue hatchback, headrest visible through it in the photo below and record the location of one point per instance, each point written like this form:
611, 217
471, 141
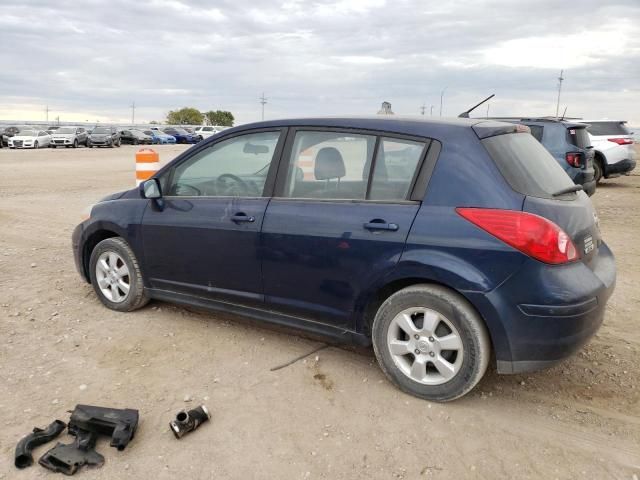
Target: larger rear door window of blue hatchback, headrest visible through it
329, 165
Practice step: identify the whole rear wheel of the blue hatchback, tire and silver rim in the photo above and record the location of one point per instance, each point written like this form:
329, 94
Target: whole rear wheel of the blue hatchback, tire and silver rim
430, 342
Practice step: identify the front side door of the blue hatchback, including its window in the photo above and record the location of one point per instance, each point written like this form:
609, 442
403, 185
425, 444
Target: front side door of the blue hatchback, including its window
205, 238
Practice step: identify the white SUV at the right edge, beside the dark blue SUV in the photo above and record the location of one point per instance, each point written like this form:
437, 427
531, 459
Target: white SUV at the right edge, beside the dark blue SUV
613, 145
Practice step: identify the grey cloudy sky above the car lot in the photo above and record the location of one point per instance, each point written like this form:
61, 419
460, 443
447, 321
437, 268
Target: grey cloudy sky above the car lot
90, 60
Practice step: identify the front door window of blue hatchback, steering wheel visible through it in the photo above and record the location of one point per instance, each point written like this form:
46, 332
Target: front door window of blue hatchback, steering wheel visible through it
236, 167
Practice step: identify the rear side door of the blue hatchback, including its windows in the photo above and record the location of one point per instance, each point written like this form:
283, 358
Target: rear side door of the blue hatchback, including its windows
339, 220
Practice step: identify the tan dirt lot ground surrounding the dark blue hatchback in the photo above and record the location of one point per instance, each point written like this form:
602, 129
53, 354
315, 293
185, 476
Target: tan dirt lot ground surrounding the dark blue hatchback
332, 416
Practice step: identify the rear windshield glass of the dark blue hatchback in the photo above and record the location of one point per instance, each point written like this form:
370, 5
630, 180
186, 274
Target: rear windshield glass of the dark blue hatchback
526, 165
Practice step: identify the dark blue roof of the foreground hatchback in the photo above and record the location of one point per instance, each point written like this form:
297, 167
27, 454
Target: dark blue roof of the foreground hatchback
419, 126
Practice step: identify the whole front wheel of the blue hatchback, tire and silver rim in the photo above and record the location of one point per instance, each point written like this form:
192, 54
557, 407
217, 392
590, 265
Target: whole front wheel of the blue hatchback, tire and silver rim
116, 275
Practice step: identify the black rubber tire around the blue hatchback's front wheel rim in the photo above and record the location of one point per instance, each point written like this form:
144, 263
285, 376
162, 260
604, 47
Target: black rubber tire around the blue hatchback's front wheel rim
136, 297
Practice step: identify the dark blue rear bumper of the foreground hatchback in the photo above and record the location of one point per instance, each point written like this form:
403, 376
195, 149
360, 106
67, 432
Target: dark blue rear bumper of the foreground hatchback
548, 312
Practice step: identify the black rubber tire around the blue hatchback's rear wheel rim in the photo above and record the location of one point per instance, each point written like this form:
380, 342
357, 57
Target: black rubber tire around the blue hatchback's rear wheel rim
471, 329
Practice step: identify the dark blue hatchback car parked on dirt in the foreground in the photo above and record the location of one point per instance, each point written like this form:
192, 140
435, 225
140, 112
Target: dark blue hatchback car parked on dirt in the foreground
439, 242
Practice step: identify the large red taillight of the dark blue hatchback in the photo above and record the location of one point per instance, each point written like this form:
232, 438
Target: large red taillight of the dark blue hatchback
532, 235
